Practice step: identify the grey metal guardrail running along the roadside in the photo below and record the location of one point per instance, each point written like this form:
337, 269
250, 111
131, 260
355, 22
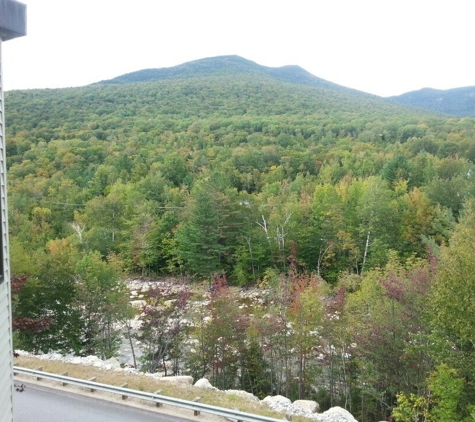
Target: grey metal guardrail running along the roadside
154, 397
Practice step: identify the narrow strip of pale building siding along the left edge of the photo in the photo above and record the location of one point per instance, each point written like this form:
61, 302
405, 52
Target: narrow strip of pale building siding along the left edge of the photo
6, 347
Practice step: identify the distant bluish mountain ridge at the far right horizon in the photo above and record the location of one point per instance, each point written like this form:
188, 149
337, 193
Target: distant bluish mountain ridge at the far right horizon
458, 102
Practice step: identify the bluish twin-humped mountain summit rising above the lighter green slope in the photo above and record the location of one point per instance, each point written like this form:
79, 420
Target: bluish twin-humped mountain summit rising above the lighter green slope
227, 65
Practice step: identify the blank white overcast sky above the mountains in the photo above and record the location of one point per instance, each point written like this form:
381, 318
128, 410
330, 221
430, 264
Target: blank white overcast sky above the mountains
385, 47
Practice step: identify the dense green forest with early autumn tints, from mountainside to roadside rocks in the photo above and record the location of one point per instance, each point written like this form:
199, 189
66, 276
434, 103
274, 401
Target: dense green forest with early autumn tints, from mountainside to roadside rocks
354, 214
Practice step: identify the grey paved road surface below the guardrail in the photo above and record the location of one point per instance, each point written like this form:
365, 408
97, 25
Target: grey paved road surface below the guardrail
43, 404
